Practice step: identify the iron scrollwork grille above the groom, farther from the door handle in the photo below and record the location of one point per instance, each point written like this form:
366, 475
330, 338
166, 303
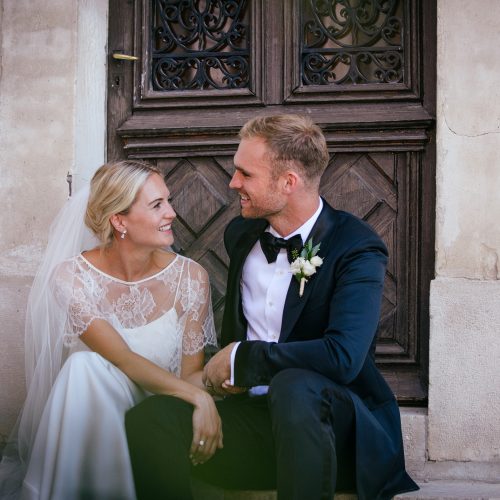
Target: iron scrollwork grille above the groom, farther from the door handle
352, 41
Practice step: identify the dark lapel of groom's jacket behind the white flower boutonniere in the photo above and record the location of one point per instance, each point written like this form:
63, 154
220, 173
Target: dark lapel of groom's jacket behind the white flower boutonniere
294, 304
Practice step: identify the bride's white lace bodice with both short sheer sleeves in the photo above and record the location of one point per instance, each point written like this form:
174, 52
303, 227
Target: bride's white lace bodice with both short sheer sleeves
160, 317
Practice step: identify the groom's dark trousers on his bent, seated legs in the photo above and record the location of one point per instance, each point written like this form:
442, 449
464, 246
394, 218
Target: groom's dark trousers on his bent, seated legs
298, 439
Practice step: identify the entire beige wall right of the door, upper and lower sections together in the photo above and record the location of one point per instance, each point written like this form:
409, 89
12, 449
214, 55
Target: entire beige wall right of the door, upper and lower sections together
464, 403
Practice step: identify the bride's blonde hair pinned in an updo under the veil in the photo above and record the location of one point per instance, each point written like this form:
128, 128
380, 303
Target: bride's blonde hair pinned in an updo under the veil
113, 190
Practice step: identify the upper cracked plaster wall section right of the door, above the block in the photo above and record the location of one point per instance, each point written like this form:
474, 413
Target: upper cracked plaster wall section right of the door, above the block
468, 178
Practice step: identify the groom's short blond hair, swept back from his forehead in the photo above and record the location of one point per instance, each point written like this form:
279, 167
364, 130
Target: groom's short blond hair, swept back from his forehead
294, 141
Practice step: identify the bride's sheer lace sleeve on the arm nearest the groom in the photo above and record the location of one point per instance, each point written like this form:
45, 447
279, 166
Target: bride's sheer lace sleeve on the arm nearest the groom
196, 304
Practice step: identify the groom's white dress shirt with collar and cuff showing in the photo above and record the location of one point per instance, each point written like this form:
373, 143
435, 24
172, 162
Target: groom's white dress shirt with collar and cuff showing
263, 291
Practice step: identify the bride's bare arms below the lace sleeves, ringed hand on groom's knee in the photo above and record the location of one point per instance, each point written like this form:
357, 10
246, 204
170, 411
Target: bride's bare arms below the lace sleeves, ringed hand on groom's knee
102, 338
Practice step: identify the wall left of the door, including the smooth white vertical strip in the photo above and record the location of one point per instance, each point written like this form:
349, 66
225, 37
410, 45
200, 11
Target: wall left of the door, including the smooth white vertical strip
52, 60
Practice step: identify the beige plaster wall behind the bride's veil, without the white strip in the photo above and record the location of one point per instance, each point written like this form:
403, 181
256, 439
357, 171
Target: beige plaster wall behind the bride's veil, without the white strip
36, 150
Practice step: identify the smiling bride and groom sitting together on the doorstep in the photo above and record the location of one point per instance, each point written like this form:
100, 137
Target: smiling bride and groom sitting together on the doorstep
117, 332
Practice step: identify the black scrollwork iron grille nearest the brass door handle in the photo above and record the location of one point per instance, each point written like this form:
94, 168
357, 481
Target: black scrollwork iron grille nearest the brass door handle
200, 44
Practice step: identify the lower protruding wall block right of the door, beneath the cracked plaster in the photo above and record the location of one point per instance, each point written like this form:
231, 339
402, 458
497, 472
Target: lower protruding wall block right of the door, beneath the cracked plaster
464, 406
